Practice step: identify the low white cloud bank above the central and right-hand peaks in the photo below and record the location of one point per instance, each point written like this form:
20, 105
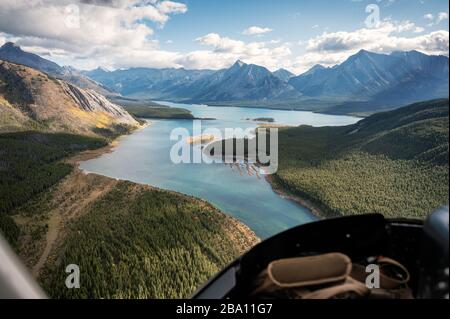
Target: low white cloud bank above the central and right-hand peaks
327, 49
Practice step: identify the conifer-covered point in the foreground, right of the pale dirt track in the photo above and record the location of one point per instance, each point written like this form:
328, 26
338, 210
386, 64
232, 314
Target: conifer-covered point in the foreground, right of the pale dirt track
139, 242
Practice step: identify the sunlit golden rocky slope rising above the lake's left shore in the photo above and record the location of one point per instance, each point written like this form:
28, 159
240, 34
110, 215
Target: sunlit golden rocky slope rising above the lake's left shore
30, 99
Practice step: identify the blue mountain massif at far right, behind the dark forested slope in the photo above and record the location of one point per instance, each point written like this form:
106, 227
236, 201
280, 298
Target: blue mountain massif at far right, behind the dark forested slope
381, 77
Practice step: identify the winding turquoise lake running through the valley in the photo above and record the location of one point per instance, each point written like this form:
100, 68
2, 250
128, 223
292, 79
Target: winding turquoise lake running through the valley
144, 157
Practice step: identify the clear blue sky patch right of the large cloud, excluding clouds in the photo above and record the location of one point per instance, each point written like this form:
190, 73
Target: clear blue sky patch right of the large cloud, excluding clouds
291, 20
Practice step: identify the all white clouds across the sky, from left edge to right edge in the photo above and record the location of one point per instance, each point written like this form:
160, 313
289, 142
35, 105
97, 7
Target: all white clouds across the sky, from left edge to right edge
121, 34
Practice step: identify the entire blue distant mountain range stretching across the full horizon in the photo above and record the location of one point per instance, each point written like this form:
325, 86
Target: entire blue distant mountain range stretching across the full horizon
364, 83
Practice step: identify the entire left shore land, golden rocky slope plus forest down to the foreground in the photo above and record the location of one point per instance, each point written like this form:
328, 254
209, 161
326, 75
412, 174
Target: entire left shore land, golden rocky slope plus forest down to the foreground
130, 241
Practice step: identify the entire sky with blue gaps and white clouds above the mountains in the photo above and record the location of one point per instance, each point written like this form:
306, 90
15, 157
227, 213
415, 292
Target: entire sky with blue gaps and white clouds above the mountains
292, 34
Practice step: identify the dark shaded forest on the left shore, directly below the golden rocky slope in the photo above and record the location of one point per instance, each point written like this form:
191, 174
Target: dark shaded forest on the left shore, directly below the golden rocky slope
29, 165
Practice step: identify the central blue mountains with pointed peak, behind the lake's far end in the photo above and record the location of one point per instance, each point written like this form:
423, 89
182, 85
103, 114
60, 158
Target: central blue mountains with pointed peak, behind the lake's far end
240, 82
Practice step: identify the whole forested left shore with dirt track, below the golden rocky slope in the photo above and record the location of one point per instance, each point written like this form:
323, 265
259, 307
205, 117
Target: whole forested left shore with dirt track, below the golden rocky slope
130, 240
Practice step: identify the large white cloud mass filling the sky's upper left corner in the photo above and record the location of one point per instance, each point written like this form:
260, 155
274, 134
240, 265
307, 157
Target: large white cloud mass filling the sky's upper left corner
113, 32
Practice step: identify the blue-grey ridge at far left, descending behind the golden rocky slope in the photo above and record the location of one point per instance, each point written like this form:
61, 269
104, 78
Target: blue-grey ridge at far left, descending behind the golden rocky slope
13, 53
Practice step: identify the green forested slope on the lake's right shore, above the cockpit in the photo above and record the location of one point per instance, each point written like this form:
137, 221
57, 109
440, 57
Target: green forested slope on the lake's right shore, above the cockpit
394, 163
